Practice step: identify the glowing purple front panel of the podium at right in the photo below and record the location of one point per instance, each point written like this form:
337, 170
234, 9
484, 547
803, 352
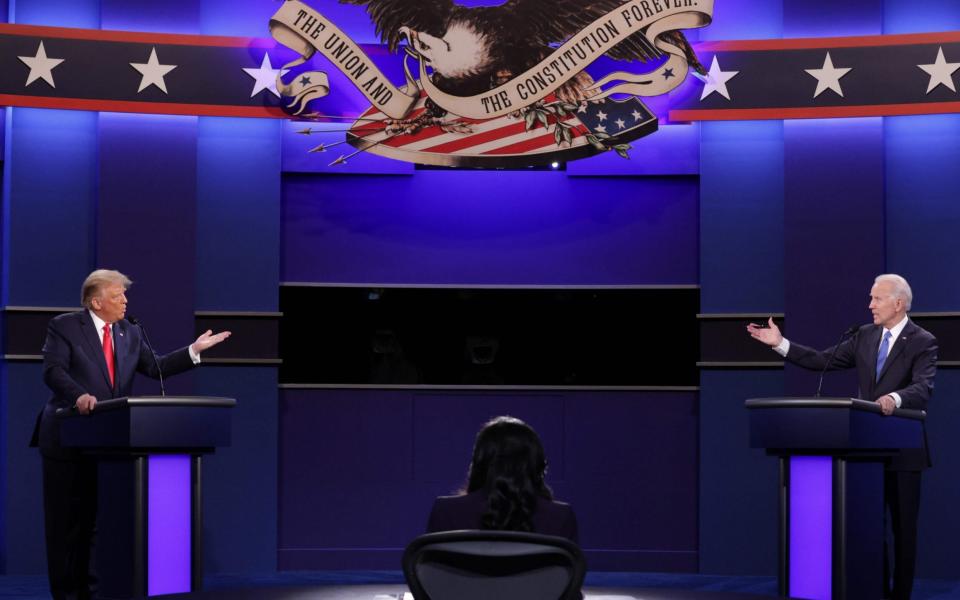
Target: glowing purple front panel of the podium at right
811, 522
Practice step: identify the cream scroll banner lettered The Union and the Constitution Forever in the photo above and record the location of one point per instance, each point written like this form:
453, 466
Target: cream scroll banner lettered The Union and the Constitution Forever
304, 30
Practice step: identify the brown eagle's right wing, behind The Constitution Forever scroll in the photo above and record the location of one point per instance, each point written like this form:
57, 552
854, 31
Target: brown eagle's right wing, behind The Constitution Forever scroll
554, 21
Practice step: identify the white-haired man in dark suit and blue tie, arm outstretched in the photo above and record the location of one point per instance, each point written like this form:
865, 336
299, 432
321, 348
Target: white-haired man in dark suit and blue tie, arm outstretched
896, 363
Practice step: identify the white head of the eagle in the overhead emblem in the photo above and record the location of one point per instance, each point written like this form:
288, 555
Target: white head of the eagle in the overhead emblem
461, 53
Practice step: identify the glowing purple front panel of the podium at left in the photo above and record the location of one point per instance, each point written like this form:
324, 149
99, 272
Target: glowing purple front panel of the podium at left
168, 524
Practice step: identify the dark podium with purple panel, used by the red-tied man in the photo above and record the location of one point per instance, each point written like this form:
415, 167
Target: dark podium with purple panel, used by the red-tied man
149, 517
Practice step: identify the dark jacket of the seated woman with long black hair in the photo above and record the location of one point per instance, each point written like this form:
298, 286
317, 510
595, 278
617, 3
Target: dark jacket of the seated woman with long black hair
450, 513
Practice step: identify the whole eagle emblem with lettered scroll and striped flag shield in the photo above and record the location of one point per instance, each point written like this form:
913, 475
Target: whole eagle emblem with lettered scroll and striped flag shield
500, 86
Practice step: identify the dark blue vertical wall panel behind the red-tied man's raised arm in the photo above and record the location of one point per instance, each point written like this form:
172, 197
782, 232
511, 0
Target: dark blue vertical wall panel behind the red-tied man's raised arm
146, 222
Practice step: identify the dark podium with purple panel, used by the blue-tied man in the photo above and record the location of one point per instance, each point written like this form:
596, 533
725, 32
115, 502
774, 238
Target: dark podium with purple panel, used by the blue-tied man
832, 453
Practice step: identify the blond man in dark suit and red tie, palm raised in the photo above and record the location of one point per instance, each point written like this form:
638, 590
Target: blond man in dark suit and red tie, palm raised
88, 356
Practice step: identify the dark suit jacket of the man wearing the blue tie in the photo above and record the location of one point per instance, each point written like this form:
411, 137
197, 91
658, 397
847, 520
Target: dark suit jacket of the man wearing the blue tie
909, 371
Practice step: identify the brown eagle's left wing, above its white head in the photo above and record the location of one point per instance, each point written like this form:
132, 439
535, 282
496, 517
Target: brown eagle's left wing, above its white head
390, 15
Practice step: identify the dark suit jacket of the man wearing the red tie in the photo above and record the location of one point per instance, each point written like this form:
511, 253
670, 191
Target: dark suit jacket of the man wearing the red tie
73, 365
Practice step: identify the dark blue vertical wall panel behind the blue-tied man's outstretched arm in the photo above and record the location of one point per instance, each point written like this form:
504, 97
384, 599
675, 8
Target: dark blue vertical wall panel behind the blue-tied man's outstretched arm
833, 232
